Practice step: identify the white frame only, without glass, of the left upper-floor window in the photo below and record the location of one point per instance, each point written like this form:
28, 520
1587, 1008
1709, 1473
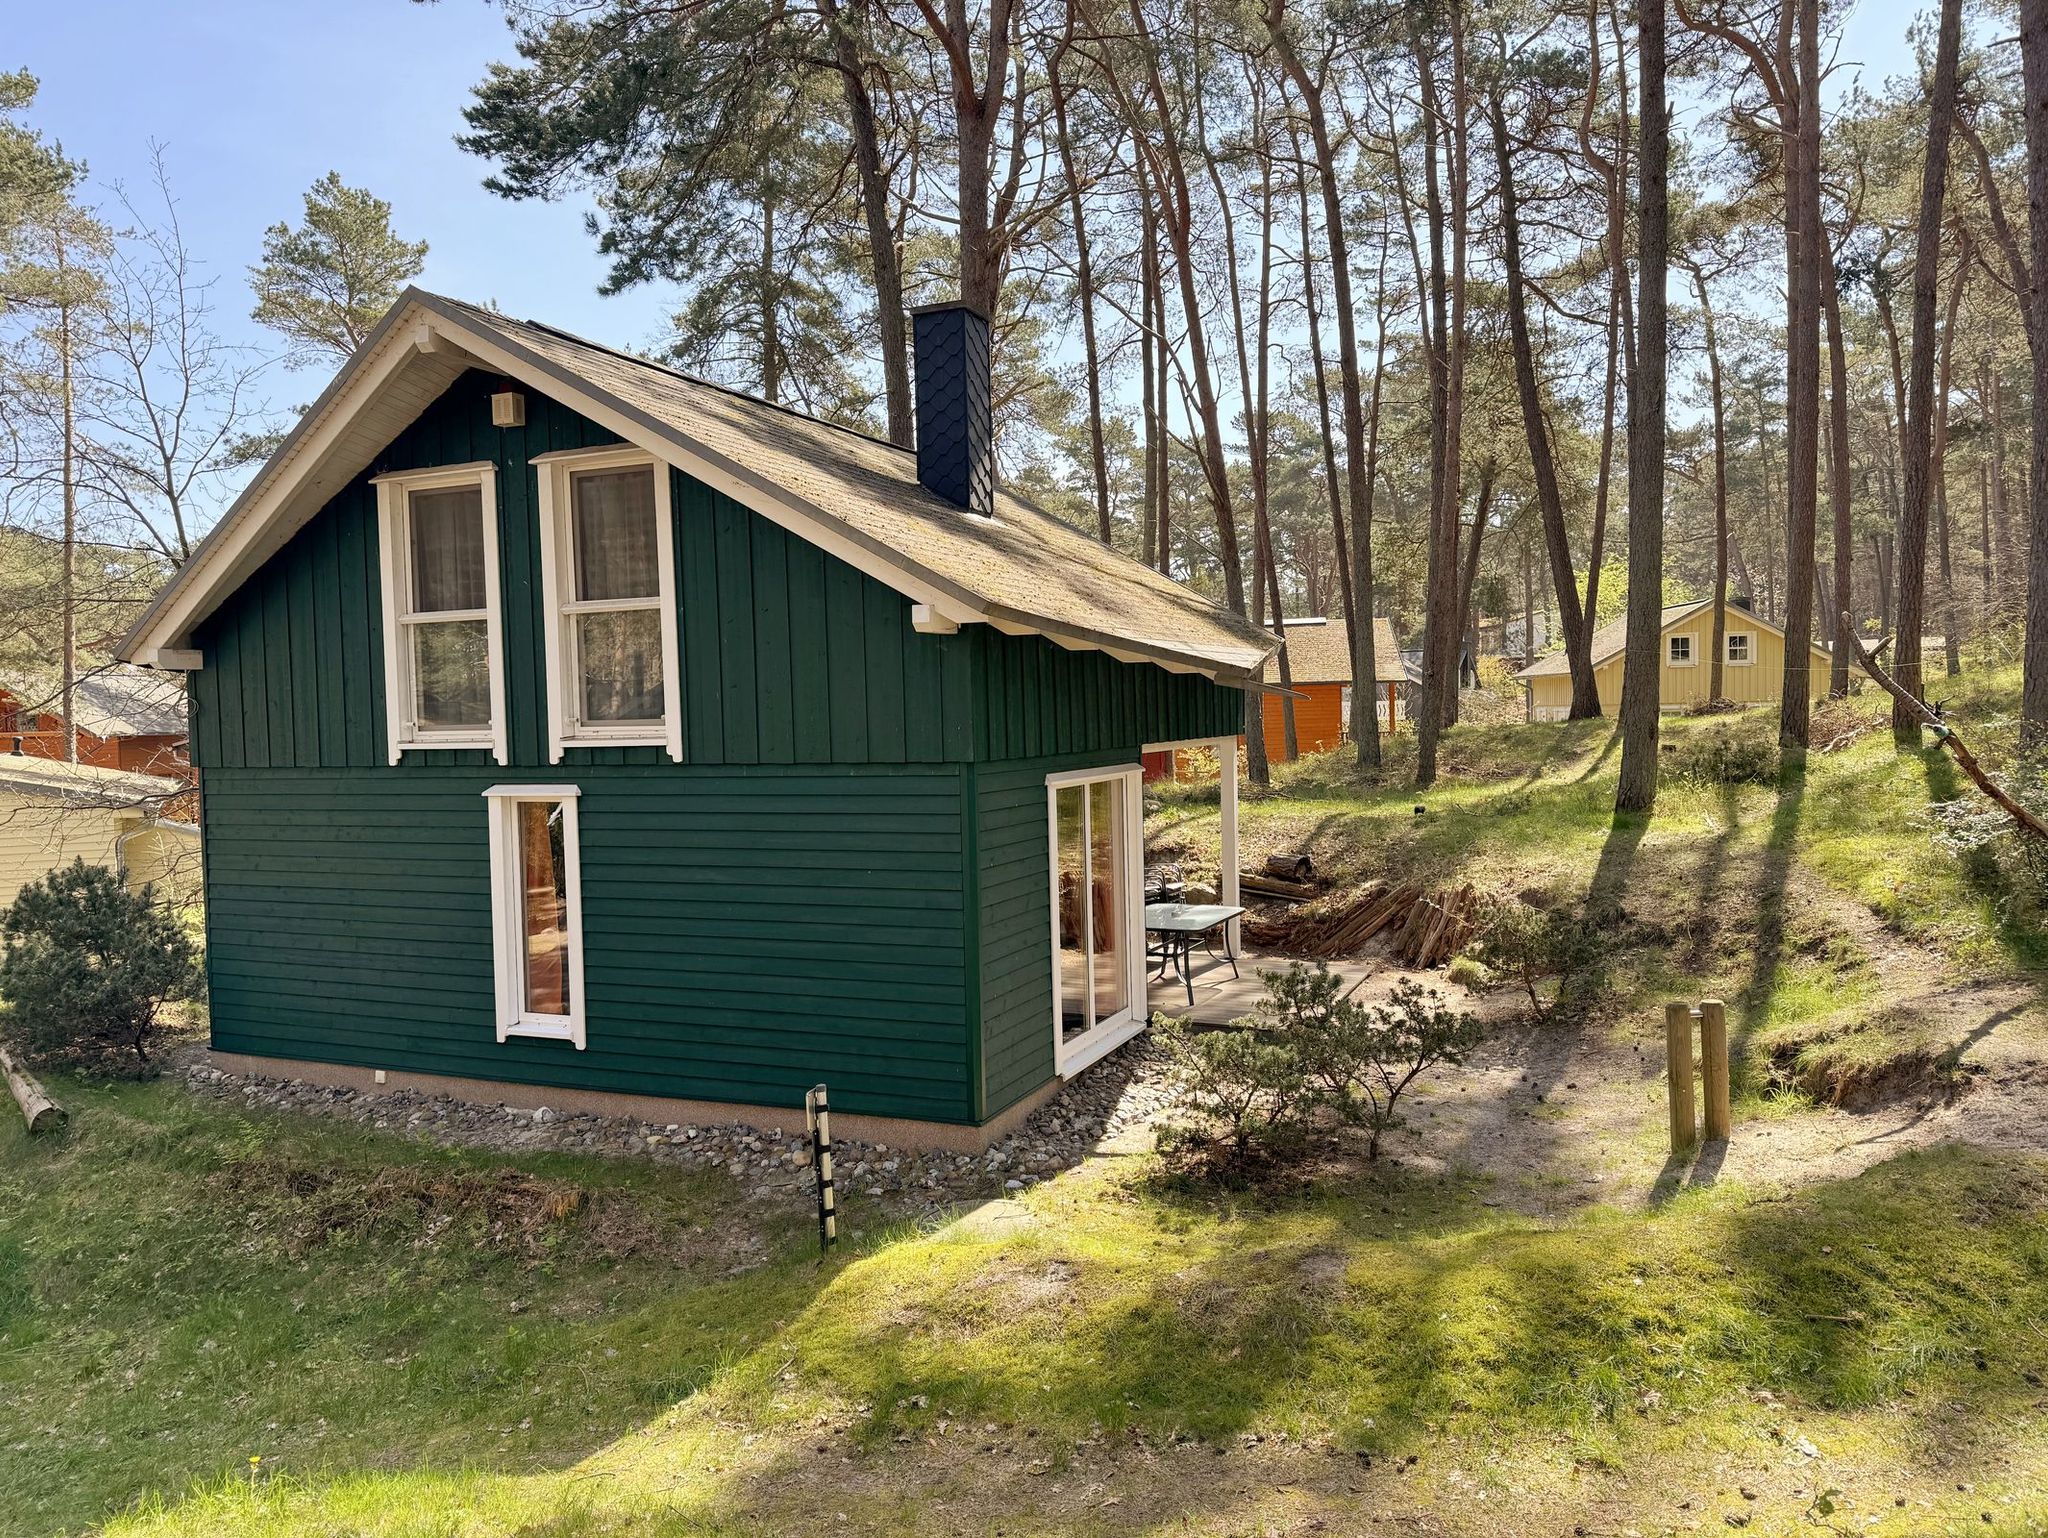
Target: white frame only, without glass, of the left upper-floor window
394, 533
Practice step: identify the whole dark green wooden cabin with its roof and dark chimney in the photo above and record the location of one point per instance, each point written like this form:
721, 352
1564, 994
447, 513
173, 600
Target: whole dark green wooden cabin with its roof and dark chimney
568, 722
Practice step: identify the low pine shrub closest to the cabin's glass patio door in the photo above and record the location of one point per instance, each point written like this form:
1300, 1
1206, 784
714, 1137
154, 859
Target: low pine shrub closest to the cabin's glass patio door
1238, 1084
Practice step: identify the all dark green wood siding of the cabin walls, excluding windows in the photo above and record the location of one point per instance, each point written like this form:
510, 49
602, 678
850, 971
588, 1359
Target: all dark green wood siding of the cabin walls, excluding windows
847, 878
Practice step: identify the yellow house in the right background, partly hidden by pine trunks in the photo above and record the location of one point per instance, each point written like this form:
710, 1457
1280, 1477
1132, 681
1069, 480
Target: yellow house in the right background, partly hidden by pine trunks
1756, 658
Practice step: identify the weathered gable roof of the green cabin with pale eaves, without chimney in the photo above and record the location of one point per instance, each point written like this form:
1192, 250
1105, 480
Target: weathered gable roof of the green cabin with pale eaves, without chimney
855, 497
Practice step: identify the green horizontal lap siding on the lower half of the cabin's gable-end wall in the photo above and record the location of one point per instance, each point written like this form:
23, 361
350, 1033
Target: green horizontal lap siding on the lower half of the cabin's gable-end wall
746, 935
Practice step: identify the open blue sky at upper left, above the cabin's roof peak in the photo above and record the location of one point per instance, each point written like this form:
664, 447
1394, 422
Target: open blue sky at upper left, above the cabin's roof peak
257, 99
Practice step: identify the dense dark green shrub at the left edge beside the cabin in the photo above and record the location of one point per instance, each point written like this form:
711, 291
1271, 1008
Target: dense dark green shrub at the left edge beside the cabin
89, 968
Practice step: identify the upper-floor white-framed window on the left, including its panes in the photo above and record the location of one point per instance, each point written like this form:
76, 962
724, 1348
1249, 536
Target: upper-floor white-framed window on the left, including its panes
441, 609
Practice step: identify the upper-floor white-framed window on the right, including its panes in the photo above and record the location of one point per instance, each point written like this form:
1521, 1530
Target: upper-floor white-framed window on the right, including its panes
609, 603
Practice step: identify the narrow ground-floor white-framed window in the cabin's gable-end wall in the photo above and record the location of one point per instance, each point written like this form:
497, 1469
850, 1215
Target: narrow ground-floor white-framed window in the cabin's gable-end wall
538, 912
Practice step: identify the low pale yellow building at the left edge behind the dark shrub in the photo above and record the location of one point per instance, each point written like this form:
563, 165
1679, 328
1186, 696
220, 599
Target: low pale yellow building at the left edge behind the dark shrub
54, 814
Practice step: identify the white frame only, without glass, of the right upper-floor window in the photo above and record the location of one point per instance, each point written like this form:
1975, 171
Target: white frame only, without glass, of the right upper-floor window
564, 730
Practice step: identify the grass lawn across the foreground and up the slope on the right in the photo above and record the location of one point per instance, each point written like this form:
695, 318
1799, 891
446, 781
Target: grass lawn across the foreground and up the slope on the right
232, 1322
